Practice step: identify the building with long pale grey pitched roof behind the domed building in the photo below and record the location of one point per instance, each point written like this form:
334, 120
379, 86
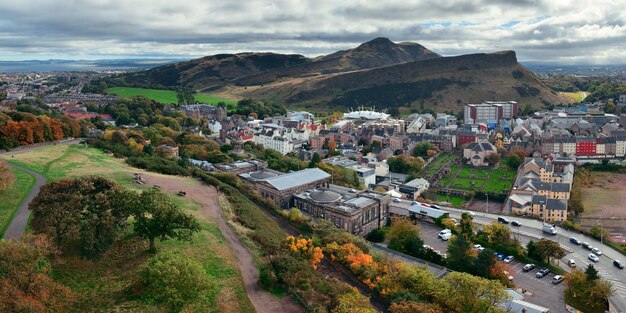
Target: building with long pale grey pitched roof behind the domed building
280, 187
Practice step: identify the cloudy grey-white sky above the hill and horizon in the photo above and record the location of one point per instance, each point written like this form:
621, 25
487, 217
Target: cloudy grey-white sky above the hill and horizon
557, 31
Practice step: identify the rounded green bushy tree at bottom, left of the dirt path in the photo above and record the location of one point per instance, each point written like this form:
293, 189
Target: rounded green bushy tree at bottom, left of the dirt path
174, 280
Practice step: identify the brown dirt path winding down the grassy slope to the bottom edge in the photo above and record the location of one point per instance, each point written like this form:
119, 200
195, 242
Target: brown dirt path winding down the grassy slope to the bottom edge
208, 199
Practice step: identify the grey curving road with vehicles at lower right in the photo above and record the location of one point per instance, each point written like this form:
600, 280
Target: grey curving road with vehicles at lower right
533, 229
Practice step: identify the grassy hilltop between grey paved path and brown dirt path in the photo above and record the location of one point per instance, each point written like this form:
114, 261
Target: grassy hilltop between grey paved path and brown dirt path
102, 285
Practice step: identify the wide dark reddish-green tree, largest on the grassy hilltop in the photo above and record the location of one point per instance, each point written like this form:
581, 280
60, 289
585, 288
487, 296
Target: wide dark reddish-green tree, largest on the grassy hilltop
89, 211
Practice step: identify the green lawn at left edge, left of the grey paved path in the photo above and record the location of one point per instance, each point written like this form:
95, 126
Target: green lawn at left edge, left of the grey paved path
11, 198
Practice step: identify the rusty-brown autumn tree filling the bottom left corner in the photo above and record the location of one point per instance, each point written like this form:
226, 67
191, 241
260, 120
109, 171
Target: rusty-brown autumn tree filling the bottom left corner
26, 283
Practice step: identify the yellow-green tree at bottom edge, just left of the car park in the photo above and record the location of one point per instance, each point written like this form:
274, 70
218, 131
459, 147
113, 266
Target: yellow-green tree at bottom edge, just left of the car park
463, 292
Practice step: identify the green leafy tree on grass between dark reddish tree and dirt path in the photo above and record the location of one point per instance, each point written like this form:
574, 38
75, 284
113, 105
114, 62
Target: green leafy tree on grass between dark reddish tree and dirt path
157, 216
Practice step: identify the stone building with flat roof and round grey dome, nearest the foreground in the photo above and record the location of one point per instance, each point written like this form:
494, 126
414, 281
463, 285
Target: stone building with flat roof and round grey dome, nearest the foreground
355, 211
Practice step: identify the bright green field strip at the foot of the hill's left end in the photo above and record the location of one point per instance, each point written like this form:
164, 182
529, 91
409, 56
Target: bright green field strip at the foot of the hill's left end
165, 96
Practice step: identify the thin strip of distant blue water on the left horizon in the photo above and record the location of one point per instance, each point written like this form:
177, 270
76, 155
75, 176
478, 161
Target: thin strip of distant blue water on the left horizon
77, 66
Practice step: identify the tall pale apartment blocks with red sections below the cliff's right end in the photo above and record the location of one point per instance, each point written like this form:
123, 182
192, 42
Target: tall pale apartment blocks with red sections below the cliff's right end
490, 112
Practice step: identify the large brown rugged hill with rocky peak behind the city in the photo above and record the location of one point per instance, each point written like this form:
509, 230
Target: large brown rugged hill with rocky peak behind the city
378, 72
